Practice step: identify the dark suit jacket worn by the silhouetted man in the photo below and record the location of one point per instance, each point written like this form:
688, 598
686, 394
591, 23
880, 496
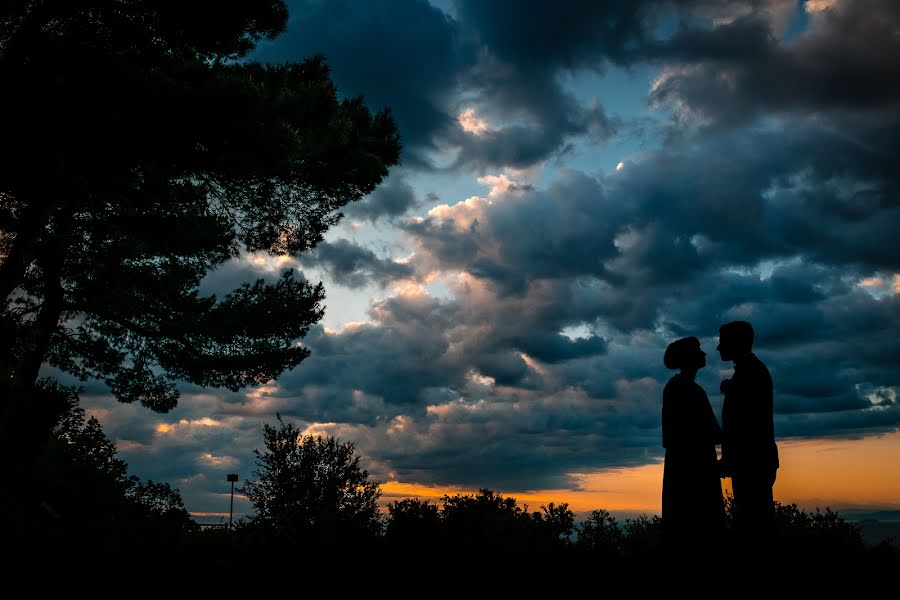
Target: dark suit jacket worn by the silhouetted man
748, 429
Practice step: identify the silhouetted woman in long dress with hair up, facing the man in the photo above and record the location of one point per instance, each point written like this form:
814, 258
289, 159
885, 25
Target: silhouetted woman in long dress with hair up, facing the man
693, 511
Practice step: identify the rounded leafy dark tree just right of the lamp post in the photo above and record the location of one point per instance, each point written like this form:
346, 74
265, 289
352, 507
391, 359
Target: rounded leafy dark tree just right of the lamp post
311, 488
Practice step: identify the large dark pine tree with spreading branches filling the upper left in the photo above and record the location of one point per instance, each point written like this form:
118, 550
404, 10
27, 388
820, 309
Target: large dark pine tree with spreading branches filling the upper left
141, 150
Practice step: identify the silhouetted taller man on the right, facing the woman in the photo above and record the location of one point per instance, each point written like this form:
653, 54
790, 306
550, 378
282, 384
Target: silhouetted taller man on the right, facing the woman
749, 453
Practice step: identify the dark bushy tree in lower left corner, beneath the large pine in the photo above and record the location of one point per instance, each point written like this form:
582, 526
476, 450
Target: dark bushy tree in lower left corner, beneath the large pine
80, 493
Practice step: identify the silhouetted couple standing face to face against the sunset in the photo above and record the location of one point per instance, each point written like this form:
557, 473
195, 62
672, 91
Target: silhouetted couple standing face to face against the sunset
693, 508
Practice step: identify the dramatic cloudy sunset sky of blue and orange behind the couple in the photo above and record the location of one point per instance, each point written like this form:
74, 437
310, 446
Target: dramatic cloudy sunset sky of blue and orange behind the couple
582, 183
